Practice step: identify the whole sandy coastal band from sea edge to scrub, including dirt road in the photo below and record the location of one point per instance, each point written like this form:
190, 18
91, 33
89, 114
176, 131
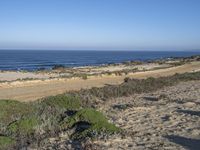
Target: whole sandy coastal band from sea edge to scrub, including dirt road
33, 85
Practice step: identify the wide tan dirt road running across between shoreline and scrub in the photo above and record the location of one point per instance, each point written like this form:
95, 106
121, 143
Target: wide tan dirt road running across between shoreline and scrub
33, 90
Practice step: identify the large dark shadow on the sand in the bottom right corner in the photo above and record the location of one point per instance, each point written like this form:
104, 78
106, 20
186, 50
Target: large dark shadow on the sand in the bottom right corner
191, 144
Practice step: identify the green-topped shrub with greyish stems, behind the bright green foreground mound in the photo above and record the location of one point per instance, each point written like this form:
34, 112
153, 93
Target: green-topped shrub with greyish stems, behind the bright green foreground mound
52, 109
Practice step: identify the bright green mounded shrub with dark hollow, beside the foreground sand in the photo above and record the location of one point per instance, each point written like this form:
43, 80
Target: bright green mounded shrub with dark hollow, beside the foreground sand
97, 123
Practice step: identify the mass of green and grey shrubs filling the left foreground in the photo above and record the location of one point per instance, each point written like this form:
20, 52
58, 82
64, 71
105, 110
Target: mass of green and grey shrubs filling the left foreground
25, 123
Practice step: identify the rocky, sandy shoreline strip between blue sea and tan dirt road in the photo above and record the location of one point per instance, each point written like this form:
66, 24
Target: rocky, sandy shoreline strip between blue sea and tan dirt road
60, 71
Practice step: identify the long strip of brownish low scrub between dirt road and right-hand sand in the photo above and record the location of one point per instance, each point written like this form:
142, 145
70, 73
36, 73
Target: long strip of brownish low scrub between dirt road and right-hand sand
132, 86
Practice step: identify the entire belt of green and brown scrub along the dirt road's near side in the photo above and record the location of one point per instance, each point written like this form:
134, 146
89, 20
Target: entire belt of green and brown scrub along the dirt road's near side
27, 123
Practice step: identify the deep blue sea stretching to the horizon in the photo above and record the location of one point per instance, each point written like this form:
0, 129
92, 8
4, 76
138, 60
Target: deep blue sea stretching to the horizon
33, 60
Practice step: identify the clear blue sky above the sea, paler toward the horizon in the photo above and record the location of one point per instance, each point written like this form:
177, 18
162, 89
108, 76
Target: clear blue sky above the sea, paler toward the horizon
100, 24
